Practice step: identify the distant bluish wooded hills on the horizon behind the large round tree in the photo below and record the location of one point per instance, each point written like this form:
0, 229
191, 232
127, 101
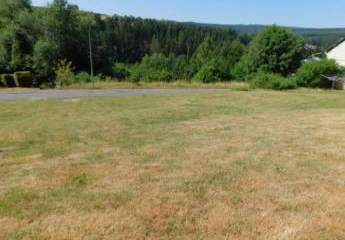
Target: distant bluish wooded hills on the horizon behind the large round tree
322, 37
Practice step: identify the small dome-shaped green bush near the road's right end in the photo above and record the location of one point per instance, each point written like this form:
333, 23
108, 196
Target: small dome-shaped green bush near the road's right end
209, 73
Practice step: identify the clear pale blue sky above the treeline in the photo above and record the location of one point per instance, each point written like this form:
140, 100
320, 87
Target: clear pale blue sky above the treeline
303, 13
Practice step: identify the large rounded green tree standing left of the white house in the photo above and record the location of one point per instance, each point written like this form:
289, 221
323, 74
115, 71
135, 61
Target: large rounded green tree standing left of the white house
276, 50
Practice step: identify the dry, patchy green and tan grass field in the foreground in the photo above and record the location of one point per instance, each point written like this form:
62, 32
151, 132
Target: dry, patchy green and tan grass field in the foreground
238, 165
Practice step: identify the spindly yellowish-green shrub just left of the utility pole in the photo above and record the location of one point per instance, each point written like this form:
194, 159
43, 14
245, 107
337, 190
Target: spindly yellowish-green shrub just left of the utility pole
64, 74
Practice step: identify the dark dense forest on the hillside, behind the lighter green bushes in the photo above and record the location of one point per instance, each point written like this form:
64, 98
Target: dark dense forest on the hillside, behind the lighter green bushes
36, 39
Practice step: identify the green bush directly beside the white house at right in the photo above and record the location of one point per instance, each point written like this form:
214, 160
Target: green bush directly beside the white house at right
310, 74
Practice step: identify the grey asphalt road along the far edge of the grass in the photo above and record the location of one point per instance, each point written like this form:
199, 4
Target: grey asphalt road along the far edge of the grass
79, 94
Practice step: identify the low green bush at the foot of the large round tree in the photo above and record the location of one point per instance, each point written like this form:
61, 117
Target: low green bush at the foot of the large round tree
272, 81
